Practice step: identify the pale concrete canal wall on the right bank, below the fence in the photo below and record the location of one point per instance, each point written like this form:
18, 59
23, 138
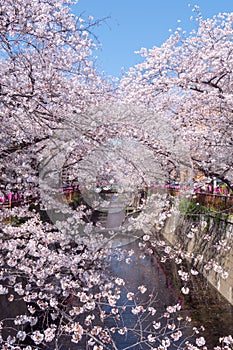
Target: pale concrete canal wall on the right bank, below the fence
209, 235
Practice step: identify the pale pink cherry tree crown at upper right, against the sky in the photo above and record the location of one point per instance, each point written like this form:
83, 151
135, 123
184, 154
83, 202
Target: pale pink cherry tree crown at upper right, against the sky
189, 78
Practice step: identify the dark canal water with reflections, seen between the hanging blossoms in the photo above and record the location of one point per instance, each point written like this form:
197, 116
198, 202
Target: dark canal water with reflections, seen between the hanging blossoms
138, 268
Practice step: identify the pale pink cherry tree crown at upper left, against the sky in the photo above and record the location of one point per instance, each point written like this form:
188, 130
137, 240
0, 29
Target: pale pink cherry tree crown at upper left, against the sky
47, 73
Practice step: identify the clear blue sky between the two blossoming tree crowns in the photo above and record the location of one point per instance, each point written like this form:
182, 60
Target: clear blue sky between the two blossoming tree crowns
134, 24
